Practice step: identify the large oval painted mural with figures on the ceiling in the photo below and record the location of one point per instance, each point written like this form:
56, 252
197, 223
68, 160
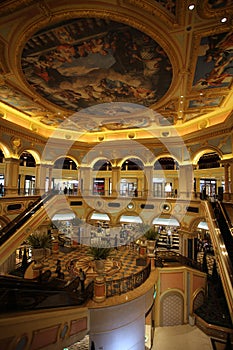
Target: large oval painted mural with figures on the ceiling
82, 62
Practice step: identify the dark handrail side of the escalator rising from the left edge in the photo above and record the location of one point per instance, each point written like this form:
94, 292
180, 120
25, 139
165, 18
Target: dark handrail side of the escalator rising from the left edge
17, 222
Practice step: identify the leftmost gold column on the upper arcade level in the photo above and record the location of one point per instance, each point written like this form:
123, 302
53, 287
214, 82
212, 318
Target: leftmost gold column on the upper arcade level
11, 176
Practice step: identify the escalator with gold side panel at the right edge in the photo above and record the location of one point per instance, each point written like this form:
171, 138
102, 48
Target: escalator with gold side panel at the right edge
222, 242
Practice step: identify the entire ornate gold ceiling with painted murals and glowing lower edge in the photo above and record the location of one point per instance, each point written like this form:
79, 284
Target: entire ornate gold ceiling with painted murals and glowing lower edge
116, 65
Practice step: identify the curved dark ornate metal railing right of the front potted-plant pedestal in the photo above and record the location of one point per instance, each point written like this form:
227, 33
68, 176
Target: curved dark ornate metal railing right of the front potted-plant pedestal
126, 284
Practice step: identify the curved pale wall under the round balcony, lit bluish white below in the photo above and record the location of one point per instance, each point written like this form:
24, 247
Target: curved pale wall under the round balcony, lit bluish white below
119, 326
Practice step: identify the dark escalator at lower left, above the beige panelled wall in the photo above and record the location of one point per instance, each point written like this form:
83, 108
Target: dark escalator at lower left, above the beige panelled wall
21, 295
